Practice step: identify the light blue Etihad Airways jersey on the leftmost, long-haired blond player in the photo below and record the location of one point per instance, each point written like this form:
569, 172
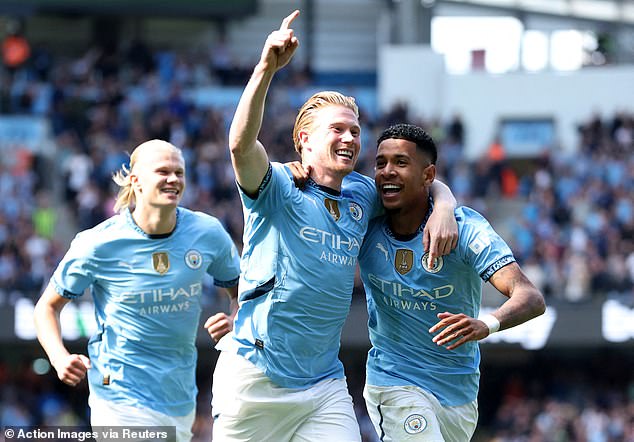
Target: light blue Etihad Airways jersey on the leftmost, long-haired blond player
147, 290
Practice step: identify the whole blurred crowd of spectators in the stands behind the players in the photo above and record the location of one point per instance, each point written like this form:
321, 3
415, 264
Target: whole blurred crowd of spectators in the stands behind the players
574, 231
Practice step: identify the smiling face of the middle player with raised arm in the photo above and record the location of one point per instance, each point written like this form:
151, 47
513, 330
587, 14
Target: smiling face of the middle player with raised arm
332, 144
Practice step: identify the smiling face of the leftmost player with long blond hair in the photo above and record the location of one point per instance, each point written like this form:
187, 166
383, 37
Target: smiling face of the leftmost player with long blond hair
158, 175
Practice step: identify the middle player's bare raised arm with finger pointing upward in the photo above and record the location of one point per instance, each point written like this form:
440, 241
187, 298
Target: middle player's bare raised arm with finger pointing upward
248, 155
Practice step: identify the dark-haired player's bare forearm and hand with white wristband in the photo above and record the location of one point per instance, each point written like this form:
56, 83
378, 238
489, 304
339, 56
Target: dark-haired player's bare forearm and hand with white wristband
525, 302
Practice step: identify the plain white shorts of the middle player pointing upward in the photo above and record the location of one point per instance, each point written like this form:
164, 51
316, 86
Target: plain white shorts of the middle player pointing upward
247, 406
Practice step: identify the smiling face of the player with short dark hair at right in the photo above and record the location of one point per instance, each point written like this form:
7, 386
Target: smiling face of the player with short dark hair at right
403, 175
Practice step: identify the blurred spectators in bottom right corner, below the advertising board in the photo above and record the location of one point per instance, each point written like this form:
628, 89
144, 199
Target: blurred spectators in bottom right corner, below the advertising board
590, 399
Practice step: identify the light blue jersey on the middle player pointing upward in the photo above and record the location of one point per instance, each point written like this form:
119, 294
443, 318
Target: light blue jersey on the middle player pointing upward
298, 265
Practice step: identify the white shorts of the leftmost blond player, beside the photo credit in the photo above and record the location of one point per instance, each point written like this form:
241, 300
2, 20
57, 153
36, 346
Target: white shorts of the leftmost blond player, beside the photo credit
110, 414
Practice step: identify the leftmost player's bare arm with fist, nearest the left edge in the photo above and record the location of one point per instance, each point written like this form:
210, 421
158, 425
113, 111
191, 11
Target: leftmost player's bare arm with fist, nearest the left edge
71, 368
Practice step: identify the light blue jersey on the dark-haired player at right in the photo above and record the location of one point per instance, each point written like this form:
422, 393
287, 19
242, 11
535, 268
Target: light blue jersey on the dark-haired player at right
404, 296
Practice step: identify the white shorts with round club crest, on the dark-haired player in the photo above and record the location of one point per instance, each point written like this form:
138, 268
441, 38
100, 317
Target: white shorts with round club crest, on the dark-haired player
409, 413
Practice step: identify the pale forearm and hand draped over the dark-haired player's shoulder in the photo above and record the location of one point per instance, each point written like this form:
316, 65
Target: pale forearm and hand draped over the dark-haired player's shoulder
441, 230
